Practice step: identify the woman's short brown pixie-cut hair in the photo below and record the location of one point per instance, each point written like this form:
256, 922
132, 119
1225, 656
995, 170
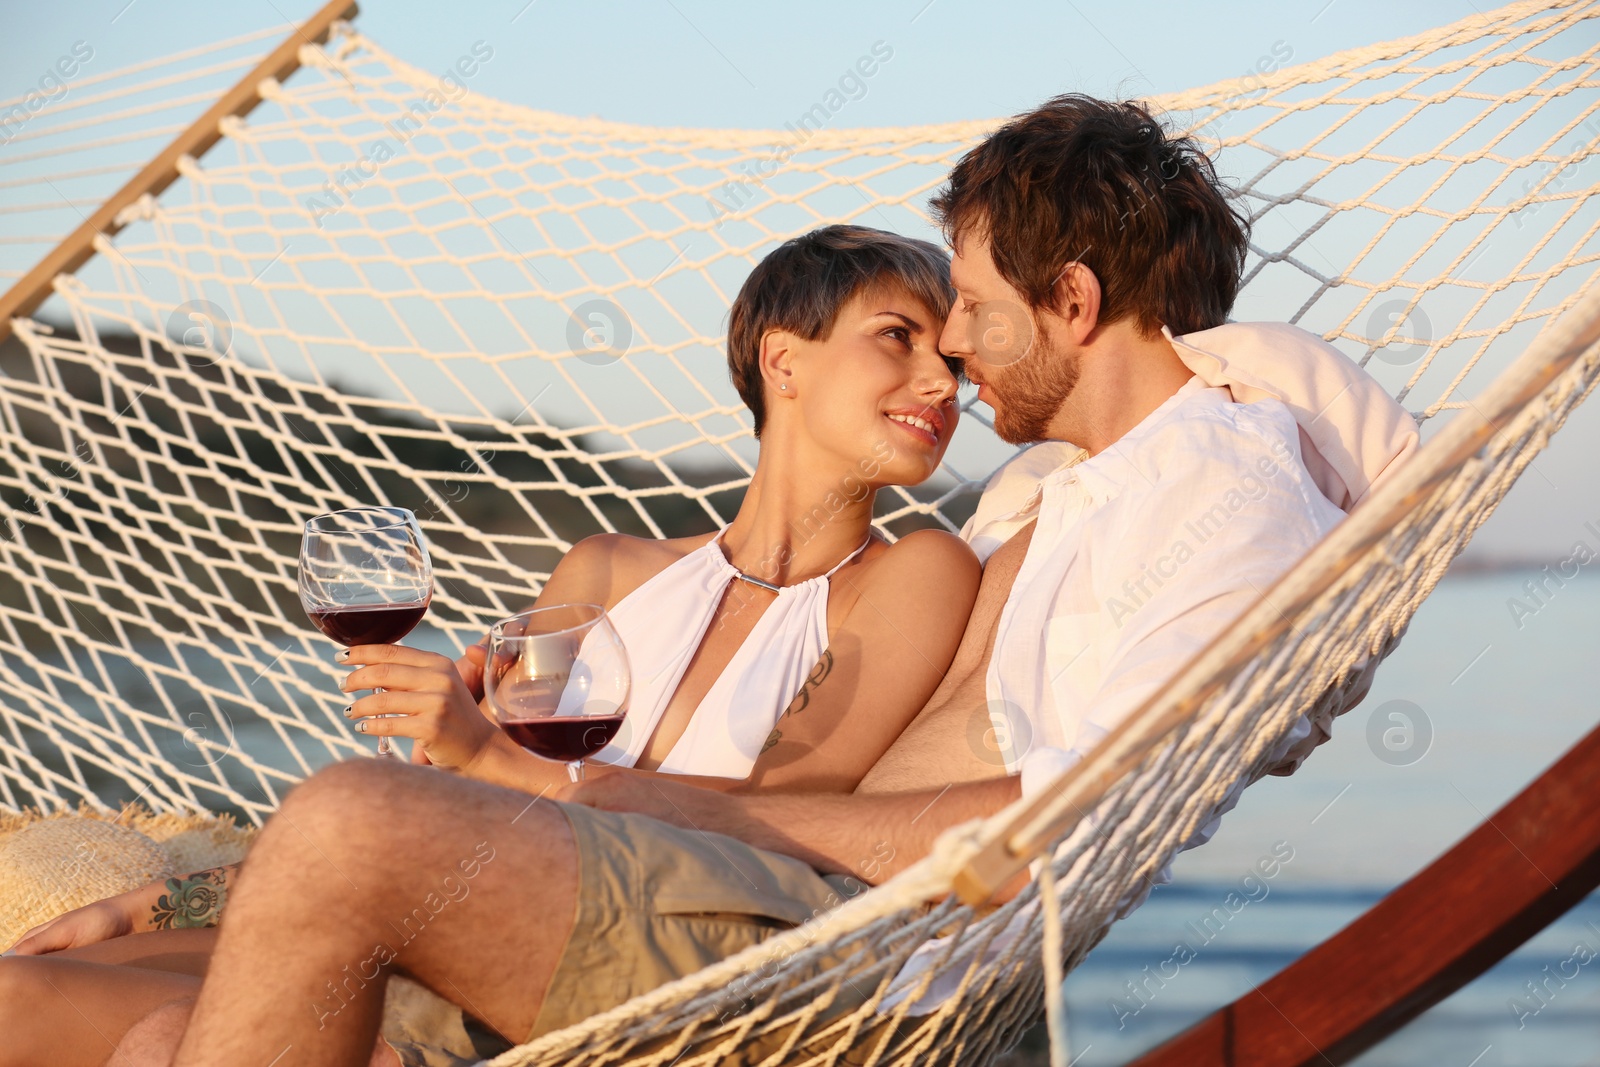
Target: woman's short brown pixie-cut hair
806, 282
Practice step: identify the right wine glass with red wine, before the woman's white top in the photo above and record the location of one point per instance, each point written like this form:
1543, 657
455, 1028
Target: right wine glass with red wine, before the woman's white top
559, 681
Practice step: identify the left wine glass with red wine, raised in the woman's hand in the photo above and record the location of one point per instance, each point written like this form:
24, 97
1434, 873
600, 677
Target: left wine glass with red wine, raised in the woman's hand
366, 578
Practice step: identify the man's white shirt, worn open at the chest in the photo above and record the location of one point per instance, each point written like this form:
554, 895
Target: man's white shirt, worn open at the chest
1140, 557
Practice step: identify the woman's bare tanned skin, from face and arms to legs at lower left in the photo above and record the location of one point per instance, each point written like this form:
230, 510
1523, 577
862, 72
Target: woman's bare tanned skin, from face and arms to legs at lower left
830, 434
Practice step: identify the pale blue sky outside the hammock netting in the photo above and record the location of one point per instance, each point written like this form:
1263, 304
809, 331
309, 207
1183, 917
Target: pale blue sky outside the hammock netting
698, 63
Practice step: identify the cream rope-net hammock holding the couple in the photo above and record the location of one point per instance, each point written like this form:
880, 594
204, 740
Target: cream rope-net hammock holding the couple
385, 287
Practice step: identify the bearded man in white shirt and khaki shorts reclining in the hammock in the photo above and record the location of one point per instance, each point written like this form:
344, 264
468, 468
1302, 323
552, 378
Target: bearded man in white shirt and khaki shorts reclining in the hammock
1081, 231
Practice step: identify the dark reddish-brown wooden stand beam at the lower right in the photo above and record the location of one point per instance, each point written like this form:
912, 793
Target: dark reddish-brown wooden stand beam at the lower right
1522, 869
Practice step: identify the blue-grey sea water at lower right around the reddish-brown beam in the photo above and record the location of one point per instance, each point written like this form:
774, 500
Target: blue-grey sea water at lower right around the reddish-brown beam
1494, 682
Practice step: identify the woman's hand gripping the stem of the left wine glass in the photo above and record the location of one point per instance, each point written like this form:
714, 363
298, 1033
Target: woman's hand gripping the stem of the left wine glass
430, 700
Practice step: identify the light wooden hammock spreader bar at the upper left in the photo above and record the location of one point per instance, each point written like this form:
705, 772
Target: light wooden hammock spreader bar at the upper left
162, 172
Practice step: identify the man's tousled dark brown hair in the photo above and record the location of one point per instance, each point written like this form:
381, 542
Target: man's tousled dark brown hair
1102, 183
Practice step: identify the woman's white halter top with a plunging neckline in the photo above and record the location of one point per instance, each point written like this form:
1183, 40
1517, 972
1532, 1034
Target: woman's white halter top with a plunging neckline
663, 623
